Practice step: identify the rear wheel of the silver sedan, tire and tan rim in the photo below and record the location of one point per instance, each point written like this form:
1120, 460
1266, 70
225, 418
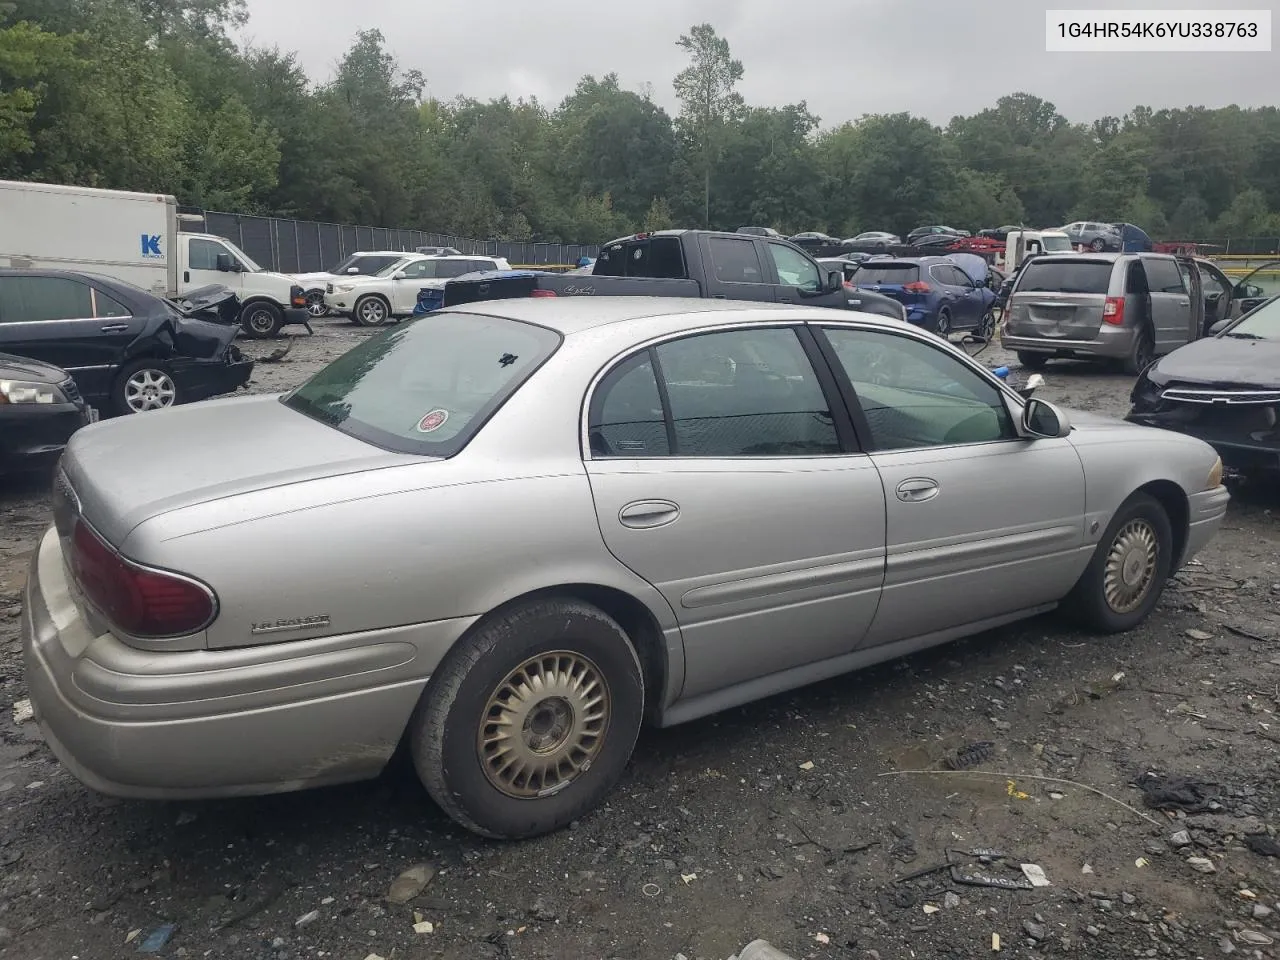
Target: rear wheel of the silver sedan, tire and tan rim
531, 720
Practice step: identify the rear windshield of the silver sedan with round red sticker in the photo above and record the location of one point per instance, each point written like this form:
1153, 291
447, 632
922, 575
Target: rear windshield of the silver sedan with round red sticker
426, 387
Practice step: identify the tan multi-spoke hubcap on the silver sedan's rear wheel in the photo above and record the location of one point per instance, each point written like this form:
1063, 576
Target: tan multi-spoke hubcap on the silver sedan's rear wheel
545, 725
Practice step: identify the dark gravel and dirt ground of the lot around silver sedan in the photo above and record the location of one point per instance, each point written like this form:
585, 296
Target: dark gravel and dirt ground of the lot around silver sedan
796, 820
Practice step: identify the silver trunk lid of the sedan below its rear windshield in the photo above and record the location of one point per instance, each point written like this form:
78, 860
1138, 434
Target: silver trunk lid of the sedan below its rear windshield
129, 470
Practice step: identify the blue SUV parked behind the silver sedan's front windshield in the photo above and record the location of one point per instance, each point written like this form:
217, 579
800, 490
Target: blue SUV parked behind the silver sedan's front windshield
940, 294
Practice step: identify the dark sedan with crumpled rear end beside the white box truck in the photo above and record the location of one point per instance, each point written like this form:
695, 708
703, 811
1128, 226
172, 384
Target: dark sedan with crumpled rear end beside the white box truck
127, 350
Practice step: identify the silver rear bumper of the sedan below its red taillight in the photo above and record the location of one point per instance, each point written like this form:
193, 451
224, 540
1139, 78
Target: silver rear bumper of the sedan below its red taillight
202, 724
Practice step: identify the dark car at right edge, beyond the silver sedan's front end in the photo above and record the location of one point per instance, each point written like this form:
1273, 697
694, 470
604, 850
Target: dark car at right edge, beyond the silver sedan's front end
1224, 390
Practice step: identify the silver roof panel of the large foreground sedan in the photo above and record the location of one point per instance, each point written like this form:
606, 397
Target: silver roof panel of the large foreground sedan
574, 316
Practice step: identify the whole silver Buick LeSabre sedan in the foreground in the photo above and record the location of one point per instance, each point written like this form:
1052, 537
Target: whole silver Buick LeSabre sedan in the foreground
511, 533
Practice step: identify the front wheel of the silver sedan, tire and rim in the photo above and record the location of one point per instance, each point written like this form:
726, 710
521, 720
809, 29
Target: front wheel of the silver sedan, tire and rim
1127, 575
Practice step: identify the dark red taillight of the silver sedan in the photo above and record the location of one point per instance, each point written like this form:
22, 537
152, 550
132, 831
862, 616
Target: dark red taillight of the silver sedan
144, 604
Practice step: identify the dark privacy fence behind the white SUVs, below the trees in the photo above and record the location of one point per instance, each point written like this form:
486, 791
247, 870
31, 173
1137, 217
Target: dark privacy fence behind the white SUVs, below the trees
308, 246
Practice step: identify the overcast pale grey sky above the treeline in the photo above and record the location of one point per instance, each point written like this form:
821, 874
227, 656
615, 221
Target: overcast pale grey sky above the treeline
932, 58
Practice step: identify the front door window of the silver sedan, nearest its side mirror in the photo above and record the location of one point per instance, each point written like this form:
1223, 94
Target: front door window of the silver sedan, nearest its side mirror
915, 395
